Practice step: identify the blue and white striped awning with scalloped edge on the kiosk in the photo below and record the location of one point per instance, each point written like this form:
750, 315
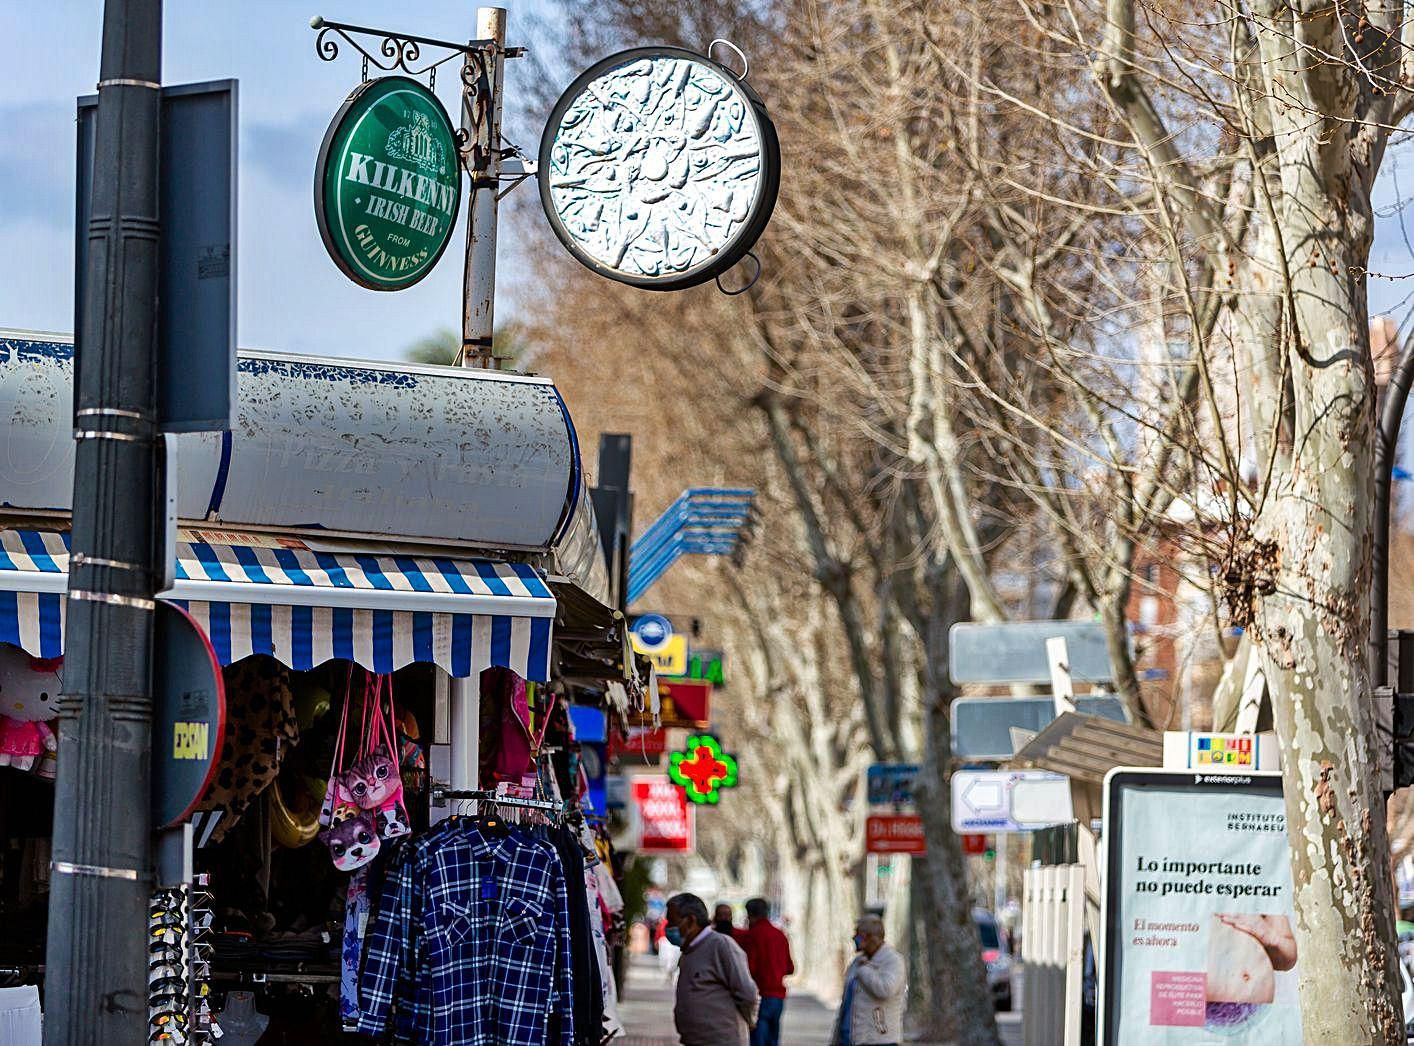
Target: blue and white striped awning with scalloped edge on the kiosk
306, 607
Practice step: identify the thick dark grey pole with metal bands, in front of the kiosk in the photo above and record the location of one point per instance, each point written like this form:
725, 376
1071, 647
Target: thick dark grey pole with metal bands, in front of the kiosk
103, 871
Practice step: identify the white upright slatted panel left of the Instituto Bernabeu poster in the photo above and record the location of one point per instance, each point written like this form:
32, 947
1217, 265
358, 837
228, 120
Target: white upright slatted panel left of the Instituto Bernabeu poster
1053, 942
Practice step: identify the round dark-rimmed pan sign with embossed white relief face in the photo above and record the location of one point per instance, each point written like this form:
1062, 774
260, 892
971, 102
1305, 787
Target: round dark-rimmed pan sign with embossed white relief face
660, 169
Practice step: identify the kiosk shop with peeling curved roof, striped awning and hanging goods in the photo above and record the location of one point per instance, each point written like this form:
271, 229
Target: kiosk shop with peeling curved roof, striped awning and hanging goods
370, 545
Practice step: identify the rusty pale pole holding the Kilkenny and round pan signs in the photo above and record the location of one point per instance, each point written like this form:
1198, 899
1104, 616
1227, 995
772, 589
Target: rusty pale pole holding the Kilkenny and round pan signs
480, 276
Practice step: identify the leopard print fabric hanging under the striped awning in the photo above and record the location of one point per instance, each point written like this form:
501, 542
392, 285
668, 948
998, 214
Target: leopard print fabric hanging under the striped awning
261, 727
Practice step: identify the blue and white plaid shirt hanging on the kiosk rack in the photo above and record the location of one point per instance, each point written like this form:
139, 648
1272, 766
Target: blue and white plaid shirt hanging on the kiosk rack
472, 944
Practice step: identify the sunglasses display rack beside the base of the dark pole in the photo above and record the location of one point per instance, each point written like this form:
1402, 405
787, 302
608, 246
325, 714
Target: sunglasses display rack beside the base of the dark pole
179, 968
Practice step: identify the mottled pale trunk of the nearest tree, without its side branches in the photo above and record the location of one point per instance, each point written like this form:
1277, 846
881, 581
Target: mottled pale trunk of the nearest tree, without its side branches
1313, 546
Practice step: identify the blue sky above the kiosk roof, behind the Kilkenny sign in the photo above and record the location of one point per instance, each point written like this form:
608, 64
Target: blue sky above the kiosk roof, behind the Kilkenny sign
291, 295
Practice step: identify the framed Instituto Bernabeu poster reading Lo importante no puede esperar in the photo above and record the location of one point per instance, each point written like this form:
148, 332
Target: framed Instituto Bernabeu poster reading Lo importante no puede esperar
1198, 911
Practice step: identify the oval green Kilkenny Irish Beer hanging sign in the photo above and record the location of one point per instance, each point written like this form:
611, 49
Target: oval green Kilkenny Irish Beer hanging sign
388, 184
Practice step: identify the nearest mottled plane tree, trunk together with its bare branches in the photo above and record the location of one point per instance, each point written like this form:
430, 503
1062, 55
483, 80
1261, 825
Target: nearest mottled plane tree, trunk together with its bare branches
1296, 104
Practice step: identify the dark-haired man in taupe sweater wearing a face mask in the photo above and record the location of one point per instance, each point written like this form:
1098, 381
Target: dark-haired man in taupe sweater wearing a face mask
716, 997
